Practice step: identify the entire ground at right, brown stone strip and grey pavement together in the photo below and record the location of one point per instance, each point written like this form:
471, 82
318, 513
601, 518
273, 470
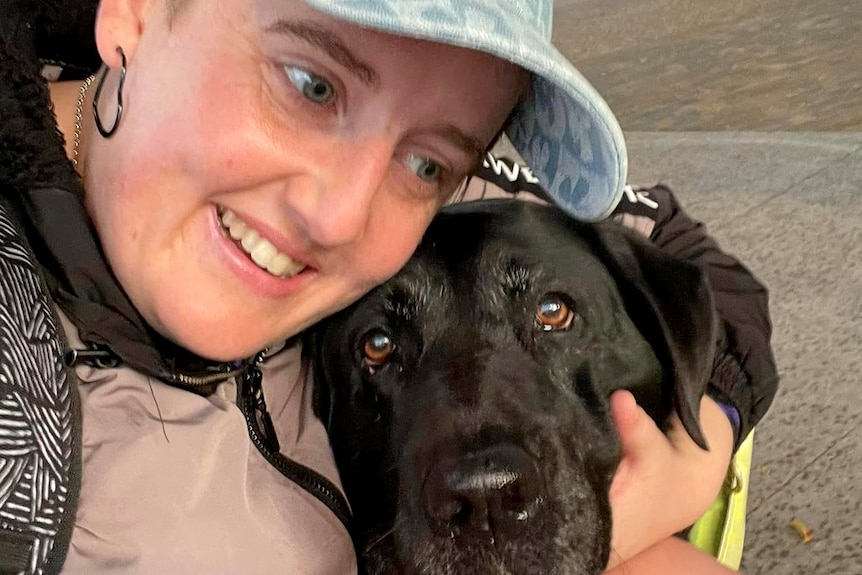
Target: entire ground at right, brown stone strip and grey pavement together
708, 93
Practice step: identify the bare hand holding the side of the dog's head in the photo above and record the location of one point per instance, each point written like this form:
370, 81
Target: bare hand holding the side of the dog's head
664, 482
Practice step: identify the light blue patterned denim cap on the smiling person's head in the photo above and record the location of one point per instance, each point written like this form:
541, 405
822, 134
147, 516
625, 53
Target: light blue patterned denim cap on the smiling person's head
564, 130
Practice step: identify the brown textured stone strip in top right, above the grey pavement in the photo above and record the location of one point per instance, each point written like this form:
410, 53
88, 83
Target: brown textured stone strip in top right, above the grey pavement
729, 65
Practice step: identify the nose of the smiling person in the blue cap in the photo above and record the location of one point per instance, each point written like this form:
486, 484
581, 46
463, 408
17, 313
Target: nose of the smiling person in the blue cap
336, 209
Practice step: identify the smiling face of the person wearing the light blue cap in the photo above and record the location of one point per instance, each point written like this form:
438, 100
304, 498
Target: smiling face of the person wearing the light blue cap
273, 164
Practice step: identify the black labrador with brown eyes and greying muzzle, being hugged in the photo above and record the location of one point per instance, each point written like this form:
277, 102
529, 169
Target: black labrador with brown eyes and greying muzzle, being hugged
467, 398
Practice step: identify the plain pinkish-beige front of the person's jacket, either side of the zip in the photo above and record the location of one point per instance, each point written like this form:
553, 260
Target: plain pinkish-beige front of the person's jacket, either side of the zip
173, 484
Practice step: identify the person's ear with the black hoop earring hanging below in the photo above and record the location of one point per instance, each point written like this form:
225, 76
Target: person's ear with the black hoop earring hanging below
121, 23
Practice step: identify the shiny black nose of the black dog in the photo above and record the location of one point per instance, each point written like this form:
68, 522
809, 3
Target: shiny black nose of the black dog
484, 495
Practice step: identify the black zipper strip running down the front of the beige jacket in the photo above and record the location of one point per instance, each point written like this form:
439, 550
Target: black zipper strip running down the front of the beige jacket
262, 434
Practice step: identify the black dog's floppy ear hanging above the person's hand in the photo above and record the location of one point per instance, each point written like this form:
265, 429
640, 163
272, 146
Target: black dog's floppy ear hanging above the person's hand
669, 301
